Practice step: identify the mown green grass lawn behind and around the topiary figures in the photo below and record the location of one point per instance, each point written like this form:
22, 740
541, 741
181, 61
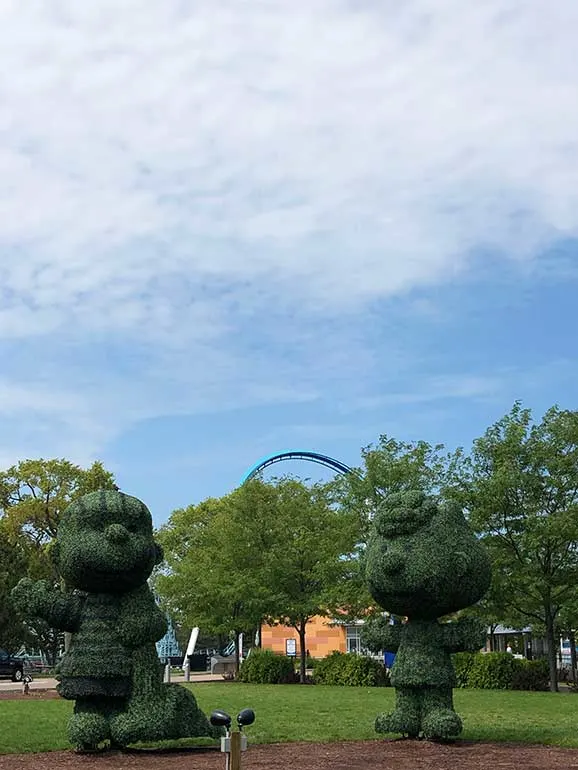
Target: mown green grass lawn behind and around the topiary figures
316, 713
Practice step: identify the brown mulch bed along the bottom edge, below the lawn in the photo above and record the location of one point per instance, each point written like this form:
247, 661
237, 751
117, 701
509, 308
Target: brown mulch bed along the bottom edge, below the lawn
381, 755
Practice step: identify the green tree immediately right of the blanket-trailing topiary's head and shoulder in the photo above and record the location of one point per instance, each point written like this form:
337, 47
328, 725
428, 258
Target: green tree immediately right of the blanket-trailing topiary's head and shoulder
213, 572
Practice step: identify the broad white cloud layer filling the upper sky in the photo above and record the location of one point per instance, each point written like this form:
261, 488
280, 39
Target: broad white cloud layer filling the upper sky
174, 174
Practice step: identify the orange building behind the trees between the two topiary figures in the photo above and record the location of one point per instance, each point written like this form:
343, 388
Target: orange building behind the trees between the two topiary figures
324, 635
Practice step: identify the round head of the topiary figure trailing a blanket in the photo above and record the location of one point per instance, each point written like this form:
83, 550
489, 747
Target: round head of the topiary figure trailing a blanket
105, 543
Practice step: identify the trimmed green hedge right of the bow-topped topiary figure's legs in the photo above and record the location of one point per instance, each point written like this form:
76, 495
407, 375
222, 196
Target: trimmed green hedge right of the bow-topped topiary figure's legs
500, 671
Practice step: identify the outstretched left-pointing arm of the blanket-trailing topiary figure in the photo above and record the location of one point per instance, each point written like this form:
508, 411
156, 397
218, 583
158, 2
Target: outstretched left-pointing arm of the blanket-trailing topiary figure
40, 600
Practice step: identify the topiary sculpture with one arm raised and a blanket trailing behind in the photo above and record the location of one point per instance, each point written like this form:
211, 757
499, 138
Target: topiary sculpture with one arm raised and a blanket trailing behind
105, 552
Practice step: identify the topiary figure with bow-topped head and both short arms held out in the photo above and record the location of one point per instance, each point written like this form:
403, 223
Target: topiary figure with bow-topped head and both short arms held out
424, 562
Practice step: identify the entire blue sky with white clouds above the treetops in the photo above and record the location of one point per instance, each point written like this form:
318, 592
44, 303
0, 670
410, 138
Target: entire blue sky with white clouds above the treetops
229, 229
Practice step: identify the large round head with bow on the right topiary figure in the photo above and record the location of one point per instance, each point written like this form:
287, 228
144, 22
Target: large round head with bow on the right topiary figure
423, 560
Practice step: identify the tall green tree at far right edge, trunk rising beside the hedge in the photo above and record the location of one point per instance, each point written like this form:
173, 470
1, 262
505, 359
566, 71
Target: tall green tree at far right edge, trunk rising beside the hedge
520, 486
